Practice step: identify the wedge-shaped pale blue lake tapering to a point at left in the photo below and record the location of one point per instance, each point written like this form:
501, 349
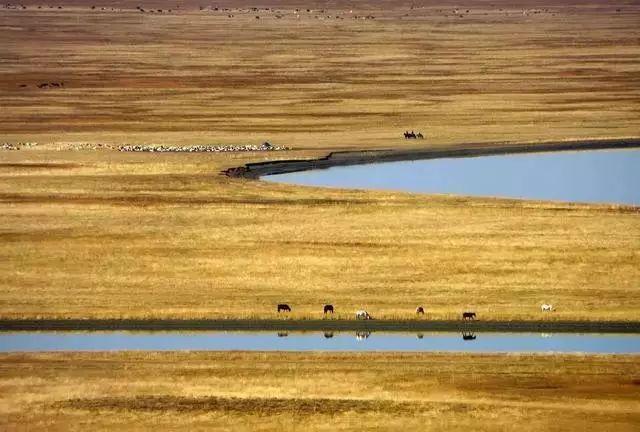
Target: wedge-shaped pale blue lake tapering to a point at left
586, 176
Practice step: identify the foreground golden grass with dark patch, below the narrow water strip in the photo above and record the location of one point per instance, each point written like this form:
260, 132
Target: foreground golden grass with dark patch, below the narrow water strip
318, 391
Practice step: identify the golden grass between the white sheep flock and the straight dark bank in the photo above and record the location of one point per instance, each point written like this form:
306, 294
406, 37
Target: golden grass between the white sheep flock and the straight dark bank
109, 234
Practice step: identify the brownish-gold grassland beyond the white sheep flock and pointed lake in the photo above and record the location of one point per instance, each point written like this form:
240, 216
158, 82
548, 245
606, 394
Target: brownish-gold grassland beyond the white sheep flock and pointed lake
196, 77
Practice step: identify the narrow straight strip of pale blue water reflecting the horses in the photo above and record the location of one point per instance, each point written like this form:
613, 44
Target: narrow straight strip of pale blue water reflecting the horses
318, 341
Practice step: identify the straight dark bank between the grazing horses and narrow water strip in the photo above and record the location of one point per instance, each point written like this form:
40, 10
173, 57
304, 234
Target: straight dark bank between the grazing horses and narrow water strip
319, 325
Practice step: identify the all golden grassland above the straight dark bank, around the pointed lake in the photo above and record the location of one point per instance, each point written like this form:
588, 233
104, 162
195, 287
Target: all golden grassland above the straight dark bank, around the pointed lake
102, 234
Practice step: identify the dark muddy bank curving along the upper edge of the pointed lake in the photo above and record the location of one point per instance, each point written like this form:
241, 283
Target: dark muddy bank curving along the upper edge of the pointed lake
259, 169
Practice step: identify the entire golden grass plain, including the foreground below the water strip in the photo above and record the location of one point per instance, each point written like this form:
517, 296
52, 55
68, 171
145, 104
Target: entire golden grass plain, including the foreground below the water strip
87, 231
